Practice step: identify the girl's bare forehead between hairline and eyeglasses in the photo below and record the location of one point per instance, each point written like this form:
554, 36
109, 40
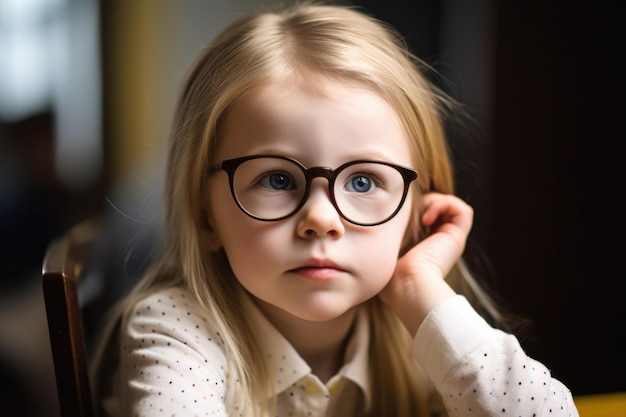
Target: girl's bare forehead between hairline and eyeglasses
311, 117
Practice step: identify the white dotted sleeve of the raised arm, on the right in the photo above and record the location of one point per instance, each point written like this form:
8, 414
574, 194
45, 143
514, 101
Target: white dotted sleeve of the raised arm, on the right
479, 370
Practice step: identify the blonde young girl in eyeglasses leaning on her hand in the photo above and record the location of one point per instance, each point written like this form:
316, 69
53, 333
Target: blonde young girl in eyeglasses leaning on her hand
312, 262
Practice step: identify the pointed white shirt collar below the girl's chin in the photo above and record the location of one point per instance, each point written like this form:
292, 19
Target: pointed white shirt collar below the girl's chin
288, 367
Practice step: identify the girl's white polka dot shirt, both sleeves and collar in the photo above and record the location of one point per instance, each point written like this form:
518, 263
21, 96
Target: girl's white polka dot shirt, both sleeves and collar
172, 363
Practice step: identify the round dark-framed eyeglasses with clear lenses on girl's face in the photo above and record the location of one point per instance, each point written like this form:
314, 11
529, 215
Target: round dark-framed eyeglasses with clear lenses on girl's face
272, 188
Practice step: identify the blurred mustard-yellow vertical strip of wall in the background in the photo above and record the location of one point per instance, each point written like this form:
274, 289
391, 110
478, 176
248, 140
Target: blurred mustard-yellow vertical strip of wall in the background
137, 108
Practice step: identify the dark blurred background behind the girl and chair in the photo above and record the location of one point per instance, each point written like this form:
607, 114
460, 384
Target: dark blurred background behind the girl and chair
87, 91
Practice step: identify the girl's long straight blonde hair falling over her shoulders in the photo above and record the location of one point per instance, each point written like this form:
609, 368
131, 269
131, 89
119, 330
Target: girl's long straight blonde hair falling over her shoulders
335, 42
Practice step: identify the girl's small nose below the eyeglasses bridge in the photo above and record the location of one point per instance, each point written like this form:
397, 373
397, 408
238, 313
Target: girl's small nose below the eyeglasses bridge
319, 217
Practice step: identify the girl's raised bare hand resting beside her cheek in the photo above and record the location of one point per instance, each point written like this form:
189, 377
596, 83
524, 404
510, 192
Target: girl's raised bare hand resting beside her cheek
417, 285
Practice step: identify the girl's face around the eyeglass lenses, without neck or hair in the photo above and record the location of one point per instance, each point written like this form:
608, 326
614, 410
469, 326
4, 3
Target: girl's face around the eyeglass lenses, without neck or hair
314, 265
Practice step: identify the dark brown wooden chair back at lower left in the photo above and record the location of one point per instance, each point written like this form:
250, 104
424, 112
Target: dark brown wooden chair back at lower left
65, 264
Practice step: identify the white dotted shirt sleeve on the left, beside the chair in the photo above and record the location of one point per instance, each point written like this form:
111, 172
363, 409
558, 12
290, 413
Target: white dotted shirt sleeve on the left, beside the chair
171, 362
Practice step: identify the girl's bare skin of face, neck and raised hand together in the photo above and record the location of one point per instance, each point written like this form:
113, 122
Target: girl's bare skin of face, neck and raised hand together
308, 272
